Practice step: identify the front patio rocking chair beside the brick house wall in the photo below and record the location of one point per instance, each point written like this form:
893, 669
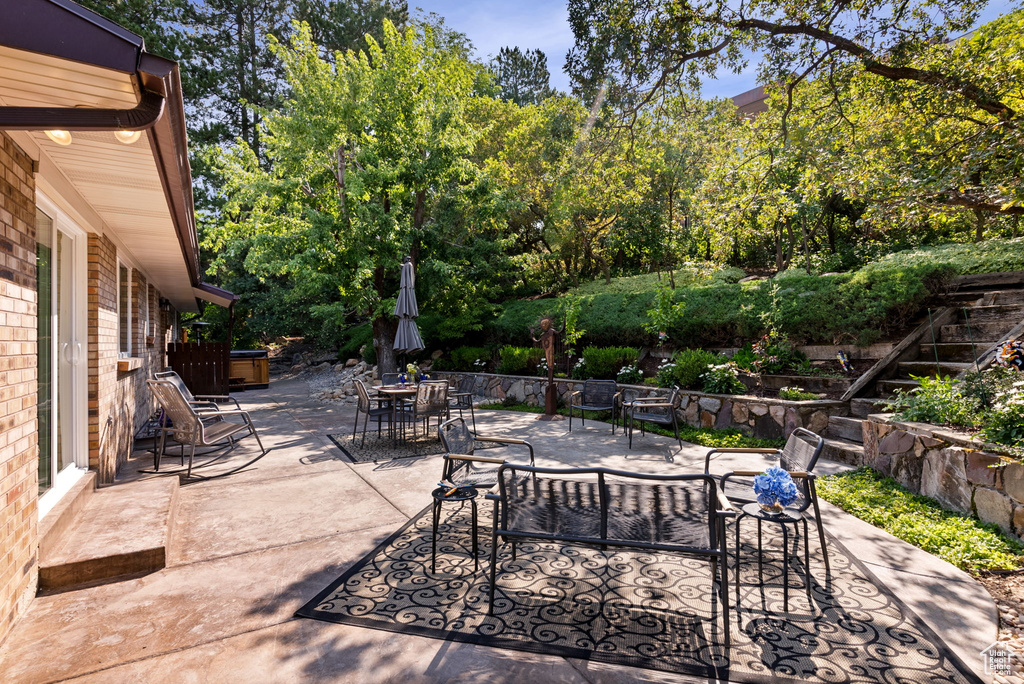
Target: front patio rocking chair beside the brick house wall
200, 430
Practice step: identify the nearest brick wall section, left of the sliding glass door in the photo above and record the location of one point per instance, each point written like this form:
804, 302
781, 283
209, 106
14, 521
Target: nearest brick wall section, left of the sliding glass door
19, 439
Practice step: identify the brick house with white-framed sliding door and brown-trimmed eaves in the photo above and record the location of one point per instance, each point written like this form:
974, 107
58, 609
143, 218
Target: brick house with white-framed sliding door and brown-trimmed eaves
99, 254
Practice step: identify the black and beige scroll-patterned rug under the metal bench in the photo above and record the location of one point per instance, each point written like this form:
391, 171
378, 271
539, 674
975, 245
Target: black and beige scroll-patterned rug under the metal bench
643, 610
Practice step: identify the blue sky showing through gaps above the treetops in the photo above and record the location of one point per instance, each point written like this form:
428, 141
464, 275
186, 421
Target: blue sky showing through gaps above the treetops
493, 25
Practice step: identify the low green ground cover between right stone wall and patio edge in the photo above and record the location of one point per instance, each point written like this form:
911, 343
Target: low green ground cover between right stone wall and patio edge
961, 541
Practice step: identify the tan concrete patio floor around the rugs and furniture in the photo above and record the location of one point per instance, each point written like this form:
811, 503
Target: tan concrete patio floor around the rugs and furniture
250, 549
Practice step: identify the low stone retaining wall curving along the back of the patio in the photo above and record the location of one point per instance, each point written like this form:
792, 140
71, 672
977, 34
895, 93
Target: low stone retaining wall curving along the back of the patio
766, 418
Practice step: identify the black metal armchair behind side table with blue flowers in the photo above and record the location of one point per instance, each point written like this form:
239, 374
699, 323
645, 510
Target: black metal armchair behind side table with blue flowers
798, 458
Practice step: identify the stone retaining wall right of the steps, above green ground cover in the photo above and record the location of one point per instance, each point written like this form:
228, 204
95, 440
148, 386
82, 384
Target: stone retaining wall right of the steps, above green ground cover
963, 475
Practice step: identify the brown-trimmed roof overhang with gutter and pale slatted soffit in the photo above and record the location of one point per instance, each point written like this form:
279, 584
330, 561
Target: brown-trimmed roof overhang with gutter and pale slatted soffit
63, 67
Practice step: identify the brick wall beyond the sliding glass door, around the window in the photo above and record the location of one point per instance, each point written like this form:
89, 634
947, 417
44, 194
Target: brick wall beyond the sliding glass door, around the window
119, 402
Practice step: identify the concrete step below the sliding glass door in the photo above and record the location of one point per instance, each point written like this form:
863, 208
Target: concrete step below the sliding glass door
122, 532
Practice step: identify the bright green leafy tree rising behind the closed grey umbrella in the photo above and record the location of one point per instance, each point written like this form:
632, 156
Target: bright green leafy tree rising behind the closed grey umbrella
366, 157
